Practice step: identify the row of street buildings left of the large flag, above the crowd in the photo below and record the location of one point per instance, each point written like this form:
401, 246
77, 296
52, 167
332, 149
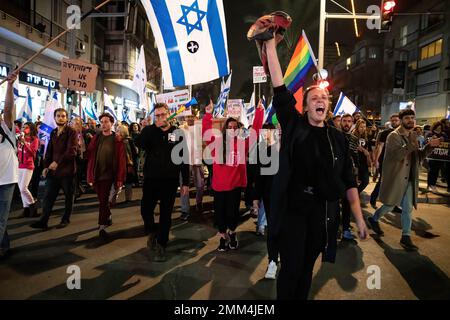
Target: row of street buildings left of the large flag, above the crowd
112, 42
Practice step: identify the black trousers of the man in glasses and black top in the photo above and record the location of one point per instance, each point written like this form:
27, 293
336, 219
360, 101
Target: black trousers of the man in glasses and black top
165, 192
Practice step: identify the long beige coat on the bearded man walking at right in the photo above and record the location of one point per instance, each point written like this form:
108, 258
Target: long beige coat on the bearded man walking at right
401, 153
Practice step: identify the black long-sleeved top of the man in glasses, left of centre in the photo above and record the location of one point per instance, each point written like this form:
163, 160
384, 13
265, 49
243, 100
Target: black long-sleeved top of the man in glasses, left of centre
158, 146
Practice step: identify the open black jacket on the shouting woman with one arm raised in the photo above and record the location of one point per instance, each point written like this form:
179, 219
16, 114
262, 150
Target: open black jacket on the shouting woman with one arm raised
295, 128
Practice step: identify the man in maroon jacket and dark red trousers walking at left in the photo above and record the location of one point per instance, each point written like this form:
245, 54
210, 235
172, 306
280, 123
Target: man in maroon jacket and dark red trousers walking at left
106, 166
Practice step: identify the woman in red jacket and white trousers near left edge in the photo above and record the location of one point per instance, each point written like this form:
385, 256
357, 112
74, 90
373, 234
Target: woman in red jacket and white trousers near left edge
27, 146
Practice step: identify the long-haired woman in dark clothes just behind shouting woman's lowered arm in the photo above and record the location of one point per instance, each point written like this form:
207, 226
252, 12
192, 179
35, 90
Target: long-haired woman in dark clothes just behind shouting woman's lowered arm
365, 161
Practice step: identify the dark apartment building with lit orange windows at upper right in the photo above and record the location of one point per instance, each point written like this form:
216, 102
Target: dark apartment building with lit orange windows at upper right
417, 62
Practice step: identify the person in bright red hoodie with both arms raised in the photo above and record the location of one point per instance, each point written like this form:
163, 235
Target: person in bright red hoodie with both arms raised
230, 175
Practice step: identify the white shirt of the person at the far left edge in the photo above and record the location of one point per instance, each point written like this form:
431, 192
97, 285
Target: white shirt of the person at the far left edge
9, 164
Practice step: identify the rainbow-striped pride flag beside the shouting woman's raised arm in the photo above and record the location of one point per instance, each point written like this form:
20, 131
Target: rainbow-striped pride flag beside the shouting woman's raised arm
302, 60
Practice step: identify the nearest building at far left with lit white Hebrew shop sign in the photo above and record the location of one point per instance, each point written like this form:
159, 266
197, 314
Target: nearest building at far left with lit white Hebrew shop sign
26, 26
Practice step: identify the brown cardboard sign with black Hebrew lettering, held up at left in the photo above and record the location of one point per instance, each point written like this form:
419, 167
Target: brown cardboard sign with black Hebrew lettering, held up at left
78, 75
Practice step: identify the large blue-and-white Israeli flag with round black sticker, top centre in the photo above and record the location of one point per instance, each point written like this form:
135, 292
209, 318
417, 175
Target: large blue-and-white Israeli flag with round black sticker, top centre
191, 38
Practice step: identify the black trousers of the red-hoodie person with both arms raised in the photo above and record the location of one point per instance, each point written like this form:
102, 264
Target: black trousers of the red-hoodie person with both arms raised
226, 209
